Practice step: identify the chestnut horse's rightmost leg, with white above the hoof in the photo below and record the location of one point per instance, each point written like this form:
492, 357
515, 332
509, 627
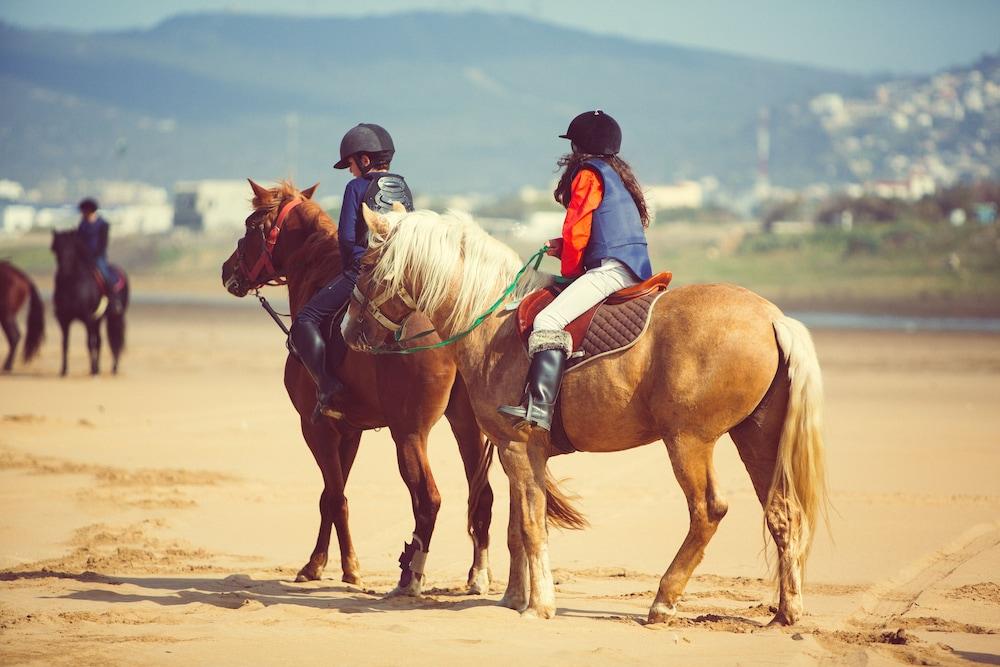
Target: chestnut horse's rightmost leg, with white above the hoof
476, 457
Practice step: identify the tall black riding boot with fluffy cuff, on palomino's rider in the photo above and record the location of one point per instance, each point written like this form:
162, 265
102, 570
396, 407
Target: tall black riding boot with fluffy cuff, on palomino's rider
548, 361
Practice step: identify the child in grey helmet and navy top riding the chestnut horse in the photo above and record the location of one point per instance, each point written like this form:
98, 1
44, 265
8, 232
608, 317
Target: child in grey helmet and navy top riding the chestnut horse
367, 151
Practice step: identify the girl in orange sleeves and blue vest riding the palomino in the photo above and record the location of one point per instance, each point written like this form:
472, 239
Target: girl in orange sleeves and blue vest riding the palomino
602, 249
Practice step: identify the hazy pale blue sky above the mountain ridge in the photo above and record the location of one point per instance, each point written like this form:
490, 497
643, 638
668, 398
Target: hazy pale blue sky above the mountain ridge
856, 35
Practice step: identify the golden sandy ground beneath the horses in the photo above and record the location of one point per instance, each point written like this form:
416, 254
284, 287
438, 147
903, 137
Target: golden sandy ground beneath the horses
160, 516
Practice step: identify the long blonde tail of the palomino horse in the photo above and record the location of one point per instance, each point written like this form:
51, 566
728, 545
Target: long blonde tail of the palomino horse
800, 471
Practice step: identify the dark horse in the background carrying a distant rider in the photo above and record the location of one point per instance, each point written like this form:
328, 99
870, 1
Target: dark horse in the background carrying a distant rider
78, 296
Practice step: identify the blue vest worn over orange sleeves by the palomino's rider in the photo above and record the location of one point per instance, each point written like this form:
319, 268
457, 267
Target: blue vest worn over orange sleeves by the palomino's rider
617, 231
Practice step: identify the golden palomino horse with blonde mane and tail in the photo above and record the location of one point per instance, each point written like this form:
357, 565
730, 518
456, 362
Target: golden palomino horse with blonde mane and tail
714, 359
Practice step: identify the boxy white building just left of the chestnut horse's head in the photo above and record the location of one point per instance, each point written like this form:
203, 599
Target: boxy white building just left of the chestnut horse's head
211, 205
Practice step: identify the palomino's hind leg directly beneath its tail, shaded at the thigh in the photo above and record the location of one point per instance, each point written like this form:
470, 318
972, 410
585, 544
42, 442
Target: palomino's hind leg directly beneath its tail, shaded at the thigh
757, 439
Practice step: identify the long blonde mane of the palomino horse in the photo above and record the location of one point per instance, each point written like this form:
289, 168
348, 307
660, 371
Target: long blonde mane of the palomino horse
450, 257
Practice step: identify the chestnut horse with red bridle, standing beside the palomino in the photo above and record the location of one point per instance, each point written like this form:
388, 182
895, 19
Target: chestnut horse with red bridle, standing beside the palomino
289, 237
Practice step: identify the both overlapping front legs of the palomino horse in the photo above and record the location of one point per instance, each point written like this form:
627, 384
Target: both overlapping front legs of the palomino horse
525, 467
